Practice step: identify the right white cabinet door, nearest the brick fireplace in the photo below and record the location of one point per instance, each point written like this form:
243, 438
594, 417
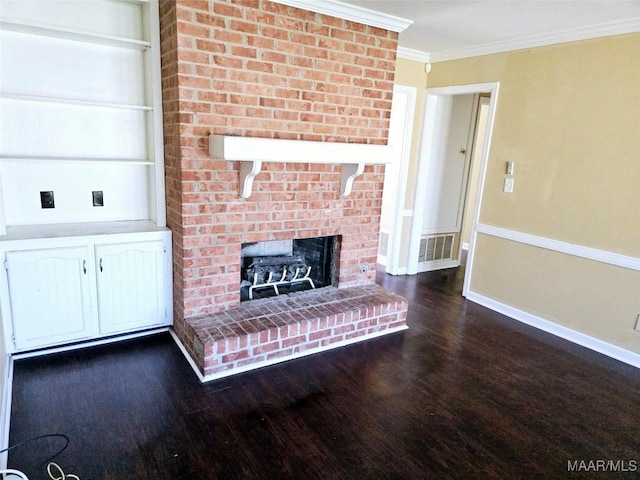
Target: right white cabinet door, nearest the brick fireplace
130, 285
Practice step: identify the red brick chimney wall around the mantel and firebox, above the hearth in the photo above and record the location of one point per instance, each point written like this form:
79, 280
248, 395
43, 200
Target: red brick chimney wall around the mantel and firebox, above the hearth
260, 69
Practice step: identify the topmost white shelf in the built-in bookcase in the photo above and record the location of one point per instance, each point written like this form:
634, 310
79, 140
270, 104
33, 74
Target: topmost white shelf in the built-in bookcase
76, 35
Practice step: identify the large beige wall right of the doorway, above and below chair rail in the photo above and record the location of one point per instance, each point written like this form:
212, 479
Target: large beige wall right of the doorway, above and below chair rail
568, 115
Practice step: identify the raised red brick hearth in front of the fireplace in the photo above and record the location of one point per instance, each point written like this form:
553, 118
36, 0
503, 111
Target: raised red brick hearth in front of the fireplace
271, 330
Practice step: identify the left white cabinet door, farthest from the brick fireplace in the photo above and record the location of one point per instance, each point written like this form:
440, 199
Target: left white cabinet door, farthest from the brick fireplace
49, 292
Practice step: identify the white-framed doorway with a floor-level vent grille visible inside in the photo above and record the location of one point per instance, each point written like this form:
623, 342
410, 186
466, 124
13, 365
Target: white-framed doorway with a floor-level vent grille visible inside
448, 189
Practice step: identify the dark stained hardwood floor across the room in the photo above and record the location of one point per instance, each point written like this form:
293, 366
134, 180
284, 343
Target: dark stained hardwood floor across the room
465, 393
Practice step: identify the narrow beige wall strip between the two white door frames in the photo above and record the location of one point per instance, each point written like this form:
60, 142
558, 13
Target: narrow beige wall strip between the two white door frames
411, 73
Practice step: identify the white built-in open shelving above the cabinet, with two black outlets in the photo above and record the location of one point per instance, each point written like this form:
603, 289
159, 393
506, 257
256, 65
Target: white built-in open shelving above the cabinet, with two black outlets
80, 82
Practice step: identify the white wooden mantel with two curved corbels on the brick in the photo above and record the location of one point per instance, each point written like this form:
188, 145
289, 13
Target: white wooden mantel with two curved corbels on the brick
253, 152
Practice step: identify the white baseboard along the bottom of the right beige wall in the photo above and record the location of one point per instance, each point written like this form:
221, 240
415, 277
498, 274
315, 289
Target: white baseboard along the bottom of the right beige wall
553, 328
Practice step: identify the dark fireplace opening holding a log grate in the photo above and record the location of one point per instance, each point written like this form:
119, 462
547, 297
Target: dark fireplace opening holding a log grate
283, 266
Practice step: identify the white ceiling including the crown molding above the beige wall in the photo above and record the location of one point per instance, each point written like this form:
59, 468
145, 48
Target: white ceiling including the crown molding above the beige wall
457, 28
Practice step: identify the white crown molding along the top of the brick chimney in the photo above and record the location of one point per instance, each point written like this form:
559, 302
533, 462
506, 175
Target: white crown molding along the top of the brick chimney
353, 13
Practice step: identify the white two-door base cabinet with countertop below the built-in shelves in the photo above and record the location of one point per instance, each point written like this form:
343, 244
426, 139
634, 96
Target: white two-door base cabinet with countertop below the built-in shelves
69, 284
